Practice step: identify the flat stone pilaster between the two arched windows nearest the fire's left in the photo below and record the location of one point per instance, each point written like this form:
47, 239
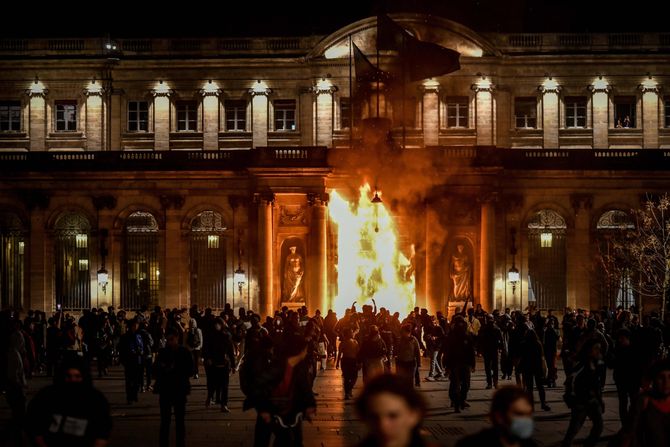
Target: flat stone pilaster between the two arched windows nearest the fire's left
171, 272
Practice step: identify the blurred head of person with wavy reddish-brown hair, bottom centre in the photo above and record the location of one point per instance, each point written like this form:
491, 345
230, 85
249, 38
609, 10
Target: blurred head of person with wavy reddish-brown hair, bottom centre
392, 410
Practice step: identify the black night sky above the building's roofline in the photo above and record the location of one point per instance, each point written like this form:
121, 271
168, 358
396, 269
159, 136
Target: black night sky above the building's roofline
142, 18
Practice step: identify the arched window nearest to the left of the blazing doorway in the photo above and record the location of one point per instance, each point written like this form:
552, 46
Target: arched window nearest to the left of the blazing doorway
208, 261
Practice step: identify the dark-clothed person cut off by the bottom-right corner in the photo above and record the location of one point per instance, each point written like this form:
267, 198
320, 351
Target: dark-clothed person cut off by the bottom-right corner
649, 420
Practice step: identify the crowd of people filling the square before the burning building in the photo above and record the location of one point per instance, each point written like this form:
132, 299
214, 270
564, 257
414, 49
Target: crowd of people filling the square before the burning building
279, 357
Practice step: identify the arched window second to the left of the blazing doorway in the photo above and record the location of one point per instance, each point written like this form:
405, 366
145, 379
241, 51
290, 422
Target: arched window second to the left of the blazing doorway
141, 267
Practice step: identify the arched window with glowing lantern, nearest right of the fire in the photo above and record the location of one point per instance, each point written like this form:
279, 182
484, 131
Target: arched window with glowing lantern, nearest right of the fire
547, 265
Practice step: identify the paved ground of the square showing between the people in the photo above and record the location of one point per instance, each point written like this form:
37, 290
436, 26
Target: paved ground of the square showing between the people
335, 424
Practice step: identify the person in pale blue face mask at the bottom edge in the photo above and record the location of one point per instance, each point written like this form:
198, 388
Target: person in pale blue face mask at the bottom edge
512, 418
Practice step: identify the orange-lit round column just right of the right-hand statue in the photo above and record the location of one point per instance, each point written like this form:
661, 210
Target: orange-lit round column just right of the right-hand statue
486, 252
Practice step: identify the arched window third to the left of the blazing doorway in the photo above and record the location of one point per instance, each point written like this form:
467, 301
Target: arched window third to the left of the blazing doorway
72, 261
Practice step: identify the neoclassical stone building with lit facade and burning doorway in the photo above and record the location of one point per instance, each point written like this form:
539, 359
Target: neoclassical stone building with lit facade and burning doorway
182, 171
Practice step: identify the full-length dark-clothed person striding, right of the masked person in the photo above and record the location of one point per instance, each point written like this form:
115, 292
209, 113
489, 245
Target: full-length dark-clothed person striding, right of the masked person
583, 394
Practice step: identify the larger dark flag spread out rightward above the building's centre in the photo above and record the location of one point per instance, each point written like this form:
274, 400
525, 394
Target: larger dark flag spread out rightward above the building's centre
419, 60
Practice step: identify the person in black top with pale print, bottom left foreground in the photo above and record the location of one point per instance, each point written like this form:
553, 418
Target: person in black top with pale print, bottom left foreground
71, 412
